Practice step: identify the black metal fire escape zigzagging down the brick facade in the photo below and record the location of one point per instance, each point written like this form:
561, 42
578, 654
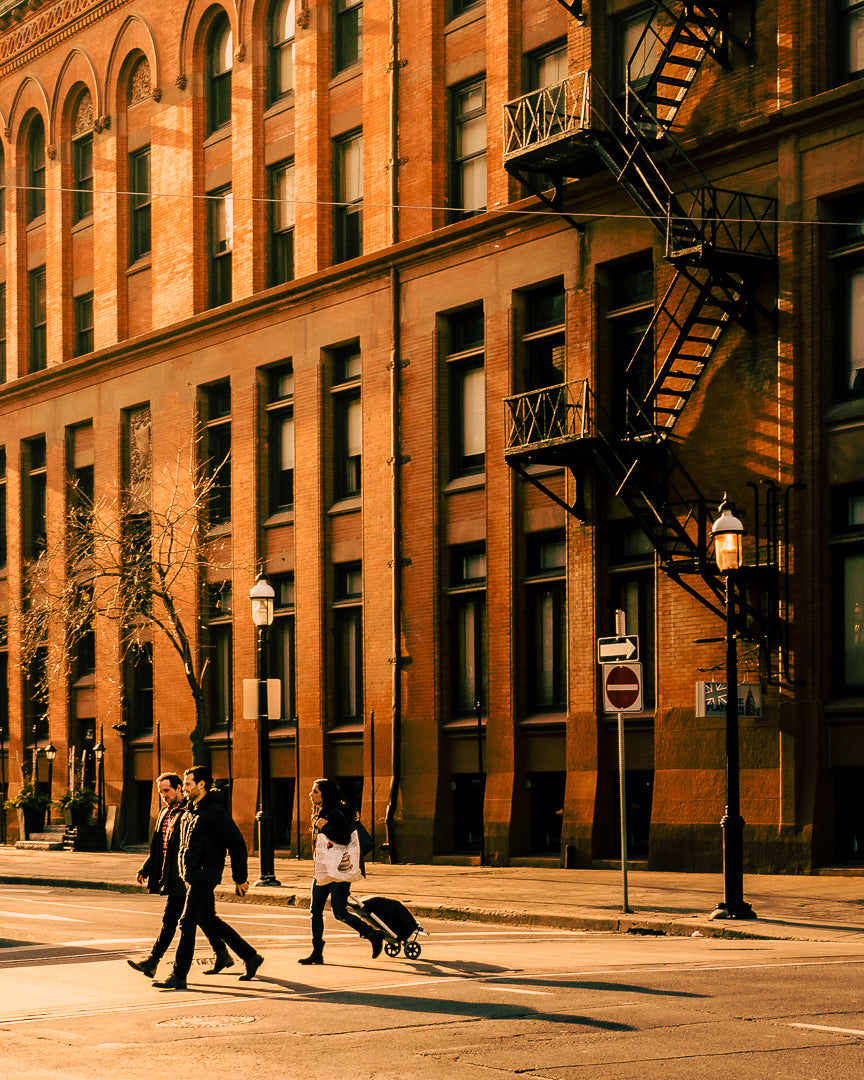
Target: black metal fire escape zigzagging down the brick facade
720, 244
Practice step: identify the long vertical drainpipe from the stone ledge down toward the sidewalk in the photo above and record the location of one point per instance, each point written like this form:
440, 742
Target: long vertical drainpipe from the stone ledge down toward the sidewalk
396, 565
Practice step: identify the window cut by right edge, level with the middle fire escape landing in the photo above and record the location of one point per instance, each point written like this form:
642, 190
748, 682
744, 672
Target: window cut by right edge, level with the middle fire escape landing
847, 259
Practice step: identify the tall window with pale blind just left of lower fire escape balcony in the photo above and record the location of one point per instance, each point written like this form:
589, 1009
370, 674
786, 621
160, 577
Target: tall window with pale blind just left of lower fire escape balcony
467, 380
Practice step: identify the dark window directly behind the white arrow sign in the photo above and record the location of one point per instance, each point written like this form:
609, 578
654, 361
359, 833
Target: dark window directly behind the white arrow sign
632, 591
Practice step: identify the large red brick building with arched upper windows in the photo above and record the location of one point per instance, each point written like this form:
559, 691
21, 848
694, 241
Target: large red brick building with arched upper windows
309, 250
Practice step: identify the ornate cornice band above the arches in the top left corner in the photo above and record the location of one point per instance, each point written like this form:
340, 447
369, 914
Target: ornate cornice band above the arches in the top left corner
24, 35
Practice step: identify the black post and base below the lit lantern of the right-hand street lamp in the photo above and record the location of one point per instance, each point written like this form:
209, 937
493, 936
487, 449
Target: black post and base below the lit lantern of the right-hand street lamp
734, 906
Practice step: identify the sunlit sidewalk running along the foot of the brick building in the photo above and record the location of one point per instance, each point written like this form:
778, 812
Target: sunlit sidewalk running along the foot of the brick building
823, 908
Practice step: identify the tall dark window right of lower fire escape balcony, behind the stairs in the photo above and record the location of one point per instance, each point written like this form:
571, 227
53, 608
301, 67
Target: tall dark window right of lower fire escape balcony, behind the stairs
629, 317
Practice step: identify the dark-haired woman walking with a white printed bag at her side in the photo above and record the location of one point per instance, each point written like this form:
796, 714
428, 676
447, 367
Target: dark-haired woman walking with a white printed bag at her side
334, 821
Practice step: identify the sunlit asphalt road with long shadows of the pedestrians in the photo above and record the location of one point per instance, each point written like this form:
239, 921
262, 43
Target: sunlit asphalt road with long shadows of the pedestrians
482, 1002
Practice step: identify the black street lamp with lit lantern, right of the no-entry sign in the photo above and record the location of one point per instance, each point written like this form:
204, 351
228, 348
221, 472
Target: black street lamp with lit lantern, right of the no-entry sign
728, 532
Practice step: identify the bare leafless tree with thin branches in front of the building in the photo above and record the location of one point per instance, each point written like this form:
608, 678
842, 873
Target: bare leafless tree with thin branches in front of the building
139, 558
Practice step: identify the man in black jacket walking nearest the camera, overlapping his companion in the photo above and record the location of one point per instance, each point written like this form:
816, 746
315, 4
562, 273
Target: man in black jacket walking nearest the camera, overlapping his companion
208, 834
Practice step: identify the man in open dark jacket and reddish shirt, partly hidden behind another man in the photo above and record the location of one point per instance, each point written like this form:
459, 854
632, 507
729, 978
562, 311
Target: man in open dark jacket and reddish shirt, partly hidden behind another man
161, 874
